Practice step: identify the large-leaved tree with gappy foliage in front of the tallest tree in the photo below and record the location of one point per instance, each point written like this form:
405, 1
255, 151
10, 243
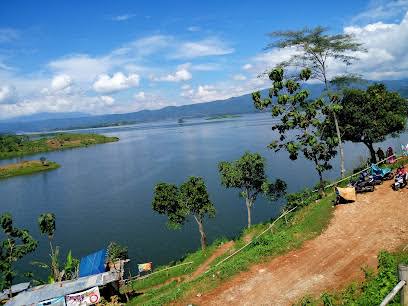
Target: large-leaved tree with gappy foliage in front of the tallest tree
302, 122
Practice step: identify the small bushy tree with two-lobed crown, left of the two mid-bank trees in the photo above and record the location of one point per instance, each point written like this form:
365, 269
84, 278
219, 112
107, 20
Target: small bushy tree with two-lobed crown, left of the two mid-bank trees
178, 203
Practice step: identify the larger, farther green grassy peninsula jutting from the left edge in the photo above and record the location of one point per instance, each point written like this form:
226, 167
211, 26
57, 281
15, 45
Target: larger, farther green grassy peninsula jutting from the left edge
58, 142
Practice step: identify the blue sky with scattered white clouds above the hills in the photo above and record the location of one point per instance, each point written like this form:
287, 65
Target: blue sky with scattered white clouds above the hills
103, 57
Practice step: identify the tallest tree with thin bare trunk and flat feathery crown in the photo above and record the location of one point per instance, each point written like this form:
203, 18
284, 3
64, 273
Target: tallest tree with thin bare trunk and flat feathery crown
315, 49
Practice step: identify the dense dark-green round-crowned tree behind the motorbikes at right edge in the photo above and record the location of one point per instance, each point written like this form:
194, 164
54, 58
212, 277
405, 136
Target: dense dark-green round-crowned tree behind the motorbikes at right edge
368, 116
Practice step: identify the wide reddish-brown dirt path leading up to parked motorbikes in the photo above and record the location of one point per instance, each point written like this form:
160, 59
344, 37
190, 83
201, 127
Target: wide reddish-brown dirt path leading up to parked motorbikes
356, 234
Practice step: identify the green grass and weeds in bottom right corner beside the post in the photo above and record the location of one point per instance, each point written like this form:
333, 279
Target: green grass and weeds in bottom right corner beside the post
371, 290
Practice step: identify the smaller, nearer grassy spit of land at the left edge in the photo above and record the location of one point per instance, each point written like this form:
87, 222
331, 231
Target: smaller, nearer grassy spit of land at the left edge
26, 167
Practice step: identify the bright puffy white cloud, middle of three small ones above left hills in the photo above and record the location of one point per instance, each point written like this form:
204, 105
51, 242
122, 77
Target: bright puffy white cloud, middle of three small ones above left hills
118, 82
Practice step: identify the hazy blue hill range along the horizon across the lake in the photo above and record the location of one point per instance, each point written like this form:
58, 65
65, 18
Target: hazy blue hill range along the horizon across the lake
236, 105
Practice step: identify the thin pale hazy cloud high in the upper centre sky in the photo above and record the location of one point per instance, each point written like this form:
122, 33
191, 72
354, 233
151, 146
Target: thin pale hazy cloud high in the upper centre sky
205, 47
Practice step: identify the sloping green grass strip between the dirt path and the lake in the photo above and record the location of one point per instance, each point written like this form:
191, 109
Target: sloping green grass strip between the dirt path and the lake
304, 224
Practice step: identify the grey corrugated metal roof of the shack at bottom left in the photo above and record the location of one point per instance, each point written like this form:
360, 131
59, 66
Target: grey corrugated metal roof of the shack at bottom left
49, 291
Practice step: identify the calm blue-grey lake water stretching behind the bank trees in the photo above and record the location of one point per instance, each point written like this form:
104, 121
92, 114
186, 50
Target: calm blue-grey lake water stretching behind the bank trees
103, 193
